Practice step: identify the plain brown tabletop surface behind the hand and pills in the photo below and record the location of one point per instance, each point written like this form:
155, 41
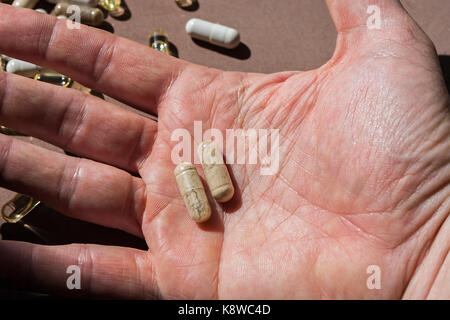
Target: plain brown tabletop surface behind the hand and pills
277, 35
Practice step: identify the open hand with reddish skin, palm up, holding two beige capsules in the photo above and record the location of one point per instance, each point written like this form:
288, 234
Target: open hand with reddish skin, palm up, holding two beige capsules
363, 177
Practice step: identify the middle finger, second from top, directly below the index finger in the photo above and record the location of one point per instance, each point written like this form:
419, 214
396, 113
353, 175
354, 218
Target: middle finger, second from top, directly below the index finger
76, 122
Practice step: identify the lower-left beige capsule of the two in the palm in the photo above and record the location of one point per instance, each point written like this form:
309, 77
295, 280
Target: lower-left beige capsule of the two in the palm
194, 195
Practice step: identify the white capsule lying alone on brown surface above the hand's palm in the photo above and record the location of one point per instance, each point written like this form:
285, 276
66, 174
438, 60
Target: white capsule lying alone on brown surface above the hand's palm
214, 33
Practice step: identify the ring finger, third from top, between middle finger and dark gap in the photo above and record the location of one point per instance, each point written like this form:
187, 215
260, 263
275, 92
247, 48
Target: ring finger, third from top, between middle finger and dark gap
77, 187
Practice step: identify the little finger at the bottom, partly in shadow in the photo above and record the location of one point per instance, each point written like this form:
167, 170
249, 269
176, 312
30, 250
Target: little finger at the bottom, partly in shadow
103, 272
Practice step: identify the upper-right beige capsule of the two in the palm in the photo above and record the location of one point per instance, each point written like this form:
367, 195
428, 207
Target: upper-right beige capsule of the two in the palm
216, 172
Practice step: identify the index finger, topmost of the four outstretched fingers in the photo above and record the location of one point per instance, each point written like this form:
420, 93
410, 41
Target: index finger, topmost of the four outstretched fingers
120, 68
